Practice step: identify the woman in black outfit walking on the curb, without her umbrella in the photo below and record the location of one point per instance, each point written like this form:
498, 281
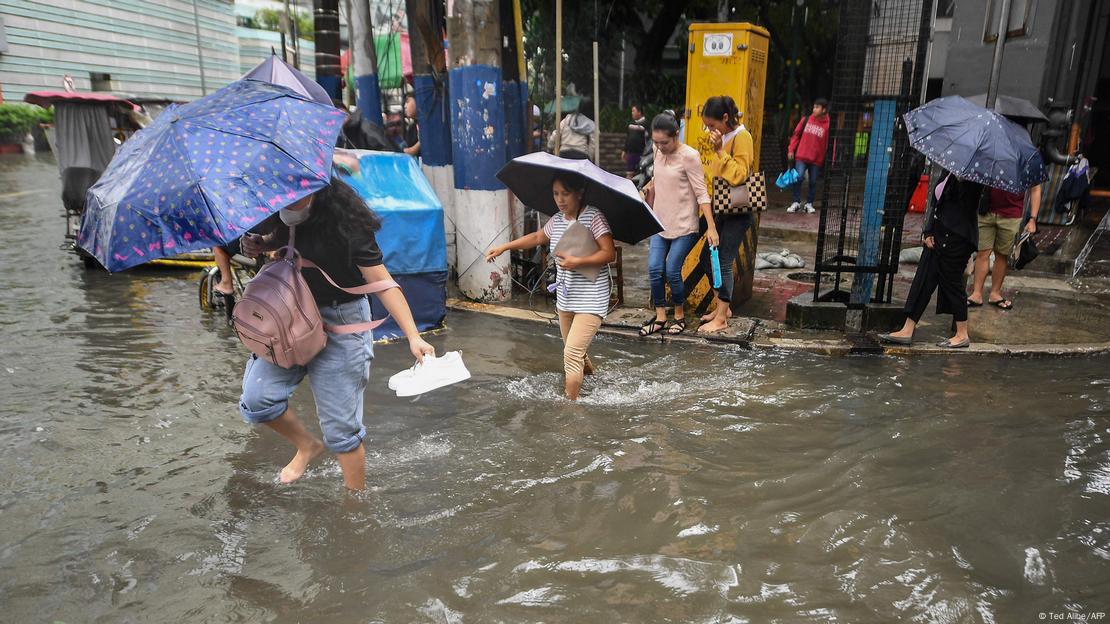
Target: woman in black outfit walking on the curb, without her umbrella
951, 238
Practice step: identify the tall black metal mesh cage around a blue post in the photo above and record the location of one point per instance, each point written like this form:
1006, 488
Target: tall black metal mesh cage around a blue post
871, 170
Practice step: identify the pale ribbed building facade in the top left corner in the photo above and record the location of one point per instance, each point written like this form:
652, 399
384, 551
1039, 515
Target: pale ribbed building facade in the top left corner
149, 47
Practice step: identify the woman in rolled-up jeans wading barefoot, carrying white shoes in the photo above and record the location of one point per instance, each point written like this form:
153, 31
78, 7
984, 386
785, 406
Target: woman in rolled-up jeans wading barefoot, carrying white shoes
336, 230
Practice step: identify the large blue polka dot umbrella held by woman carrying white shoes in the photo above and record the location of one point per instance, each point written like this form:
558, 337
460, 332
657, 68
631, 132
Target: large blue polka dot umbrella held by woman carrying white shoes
208, 172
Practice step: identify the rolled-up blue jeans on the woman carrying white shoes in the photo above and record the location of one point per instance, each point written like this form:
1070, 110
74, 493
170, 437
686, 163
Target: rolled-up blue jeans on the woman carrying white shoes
339, 376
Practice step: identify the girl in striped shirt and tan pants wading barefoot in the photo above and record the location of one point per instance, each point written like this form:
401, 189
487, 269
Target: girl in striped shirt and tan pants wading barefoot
581, 303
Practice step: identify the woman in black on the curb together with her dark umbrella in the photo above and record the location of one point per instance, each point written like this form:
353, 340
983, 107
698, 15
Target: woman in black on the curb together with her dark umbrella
981, 150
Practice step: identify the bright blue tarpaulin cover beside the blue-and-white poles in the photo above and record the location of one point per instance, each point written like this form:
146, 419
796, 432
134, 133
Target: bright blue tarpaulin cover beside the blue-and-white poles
412, 237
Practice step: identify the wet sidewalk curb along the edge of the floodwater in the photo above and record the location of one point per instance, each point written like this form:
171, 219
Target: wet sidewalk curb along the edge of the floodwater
841, 348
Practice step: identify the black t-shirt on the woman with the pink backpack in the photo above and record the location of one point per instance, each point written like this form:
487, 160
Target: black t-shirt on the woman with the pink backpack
337, 257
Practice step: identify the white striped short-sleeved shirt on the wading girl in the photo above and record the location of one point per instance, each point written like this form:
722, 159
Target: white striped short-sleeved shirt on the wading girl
574, 291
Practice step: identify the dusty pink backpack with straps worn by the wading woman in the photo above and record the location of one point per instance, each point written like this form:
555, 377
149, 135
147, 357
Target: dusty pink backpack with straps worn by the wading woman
278, 318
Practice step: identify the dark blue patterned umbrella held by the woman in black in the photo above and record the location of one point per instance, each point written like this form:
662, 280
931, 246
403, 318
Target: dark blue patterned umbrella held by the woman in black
975, 144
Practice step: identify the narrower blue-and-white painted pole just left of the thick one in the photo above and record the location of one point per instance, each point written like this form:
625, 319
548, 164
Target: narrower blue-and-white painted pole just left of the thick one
433, 112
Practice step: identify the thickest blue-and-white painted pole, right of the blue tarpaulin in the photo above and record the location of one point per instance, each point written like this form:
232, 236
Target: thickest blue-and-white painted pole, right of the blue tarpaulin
480, 145
